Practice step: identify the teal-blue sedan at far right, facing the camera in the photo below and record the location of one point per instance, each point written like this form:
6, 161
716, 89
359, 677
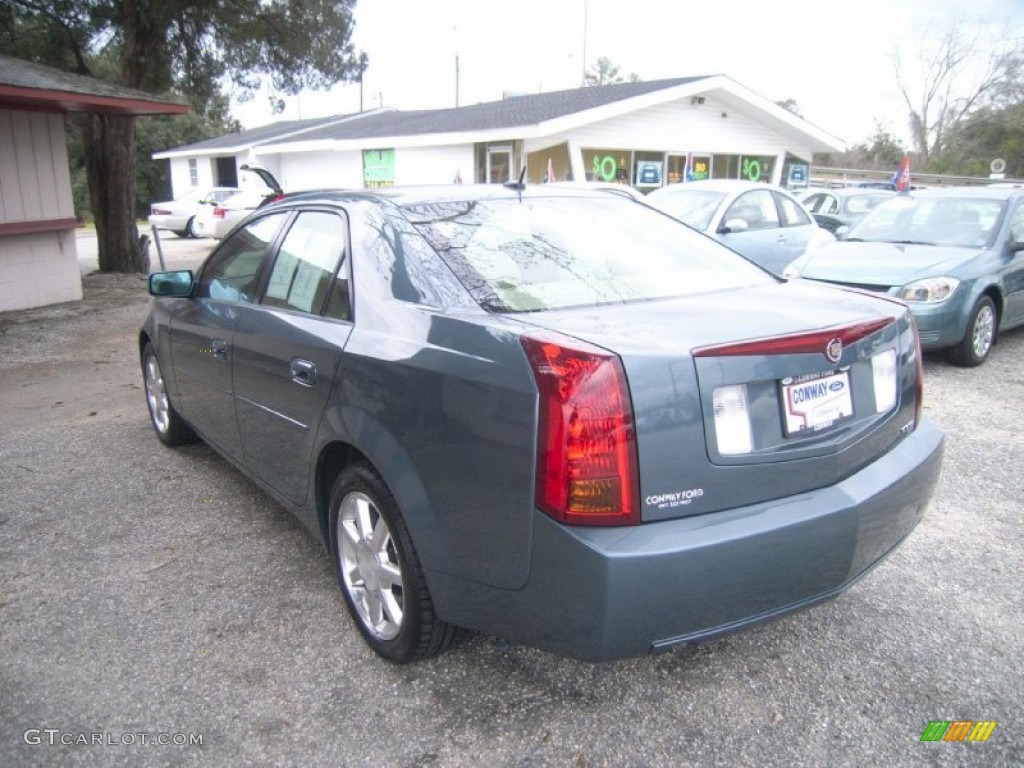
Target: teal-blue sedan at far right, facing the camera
955, 255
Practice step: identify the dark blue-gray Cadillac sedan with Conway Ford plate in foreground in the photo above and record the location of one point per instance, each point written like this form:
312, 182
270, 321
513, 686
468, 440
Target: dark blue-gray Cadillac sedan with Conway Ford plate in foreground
561, 417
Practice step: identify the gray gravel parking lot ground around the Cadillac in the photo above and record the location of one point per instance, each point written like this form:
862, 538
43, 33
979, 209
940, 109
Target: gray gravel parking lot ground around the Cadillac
155, 595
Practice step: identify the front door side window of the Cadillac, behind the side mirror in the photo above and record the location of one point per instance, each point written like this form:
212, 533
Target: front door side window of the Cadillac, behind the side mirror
232, 274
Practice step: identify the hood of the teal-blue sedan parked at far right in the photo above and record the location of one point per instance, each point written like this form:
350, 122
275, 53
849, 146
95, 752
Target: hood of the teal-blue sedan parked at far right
881, 264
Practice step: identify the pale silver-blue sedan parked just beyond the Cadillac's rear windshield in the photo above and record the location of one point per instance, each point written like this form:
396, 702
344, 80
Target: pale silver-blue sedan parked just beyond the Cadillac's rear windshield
764, 224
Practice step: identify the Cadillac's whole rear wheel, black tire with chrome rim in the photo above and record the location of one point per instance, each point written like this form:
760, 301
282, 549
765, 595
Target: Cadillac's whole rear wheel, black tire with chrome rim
379, 571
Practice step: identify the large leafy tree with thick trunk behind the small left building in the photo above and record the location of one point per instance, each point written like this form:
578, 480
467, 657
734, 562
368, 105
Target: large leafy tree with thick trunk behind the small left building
174, 47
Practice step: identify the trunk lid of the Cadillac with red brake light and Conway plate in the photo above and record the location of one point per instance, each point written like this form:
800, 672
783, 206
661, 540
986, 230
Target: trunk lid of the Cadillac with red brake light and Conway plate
812, 421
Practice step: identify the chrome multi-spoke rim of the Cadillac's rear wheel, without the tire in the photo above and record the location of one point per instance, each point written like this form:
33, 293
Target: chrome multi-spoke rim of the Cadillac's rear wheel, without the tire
370, 566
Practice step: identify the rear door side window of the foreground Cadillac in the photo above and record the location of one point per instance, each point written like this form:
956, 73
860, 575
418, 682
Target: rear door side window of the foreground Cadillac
310, 259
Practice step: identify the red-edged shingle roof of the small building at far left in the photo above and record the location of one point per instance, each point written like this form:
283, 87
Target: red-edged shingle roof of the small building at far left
33, 81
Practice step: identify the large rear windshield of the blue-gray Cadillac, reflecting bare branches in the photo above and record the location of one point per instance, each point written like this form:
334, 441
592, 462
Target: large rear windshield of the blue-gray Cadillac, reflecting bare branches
546, 253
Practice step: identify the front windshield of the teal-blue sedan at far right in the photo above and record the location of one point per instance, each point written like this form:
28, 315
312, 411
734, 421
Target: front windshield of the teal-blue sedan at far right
970, 223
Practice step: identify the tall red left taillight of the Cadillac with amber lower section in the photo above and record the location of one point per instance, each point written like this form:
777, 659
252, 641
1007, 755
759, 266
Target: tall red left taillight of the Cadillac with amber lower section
586, 452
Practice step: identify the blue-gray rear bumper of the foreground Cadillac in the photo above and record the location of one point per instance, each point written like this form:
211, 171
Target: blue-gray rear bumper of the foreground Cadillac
600, 594
